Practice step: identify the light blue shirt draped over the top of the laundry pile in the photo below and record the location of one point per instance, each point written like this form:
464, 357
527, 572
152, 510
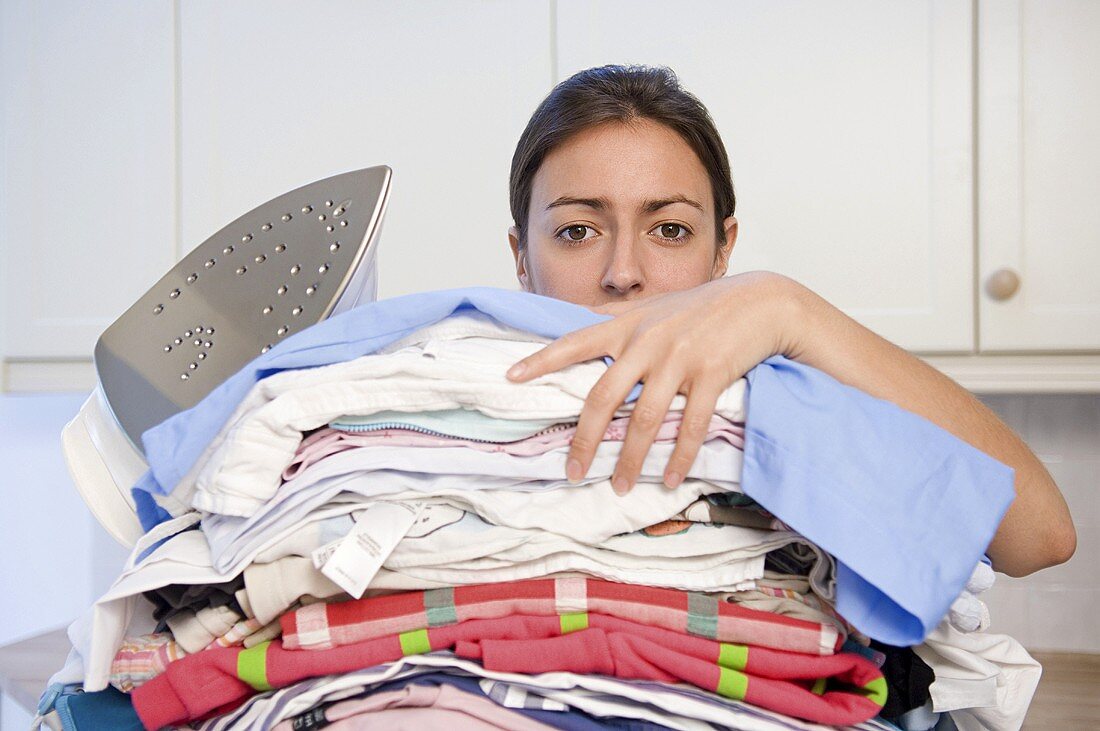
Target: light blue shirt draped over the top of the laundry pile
906, 508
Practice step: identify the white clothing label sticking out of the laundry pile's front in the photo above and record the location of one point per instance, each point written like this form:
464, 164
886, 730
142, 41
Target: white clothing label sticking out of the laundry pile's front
354, 561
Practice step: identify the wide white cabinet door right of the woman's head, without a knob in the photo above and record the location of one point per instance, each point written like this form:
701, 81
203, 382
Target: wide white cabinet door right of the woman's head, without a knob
850, 131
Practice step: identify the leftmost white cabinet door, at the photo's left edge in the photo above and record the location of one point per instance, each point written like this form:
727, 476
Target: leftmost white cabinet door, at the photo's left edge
87, 205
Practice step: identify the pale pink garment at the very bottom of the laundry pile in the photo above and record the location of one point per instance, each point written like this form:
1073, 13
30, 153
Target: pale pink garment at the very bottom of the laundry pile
443, 708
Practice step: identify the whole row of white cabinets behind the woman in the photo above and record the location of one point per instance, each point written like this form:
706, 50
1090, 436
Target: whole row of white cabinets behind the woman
893, 157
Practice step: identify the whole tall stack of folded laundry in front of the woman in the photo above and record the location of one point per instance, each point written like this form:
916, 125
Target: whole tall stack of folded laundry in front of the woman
371, 525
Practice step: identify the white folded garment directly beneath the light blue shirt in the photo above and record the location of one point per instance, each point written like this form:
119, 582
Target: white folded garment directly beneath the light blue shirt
247, 468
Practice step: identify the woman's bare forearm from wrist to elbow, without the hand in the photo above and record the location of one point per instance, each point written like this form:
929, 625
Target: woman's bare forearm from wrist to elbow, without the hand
1038, 531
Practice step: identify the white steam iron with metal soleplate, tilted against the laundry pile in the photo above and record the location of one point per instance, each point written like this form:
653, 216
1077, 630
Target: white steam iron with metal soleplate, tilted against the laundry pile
281, 268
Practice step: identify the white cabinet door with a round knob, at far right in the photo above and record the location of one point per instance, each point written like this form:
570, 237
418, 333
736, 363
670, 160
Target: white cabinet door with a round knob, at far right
1039, 220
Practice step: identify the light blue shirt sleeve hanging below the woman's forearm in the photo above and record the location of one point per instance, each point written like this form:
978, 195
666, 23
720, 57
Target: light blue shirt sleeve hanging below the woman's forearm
907, 508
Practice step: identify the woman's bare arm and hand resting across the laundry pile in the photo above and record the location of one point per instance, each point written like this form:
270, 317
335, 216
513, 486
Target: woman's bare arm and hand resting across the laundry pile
700, 341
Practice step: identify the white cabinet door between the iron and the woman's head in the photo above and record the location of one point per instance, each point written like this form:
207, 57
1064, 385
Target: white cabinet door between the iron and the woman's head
279, 95
